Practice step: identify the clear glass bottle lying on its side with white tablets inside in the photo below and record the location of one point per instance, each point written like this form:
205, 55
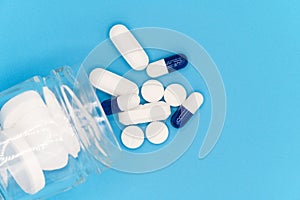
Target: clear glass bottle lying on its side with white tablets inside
53, 134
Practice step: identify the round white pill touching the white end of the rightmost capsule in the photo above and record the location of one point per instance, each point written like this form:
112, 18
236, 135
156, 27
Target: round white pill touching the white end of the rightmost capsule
175, 95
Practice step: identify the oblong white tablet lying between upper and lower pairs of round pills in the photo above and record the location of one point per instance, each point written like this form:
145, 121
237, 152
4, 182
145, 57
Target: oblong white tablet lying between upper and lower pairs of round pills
149, 112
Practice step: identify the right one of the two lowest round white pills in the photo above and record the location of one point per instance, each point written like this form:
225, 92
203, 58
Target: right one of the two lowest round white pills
157, 132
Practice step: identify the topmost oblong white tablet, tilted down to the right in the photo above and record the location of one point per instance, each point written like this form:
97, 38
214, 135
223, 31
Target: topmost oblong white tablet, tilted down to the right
129, 47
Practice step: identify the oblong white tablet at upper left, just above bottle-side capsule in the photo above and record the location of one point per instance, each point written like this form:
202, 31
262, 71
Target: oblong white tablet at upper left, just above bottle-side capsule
112, 83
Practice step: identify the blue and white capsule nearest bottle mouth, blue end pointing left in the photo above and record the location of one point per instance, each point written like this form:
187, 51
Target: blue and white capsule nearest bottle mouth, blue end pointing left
120, 103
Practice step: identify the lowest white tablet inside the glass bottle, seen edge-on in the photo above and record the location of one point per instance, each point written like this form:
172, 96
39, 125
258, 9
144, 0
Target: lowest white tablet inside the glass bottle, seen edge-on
23, 165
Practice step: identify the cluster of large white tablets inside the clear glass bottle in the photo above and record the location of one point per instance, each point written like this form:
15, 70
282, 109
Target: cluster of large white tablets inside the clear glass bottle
39, 137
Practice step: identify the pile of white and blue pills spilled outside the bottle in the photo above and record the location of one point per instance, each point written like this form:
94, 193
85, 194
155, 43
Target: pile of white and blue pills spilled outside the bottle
126, 94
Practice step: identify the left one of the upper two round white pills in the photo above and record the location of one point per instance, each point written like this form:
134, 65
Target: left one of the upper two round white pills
152, 90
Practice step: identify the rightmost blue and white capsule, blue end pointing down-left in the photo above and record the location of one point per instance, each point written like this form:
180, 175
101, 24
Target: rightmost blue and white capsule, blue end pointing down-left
188, 108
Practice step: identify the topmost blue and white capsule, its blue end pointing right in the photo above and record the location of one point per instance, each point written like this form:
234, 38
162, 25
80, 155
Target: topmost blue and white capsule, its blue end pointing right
167, 65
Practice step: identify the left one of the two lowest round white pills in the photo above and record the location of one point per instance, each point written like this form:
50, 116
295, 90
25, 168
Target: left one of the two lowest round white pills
132, 137
